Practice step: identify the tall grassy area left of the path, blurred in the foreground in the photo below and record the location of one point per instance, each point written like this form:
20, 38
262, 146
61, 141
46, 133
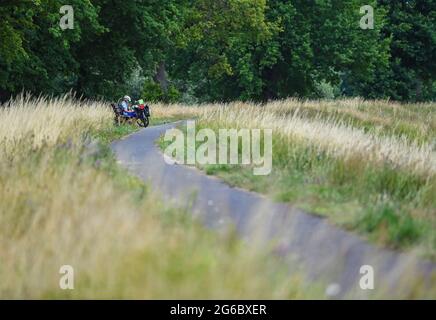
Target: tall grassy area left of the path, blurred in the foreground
64, 201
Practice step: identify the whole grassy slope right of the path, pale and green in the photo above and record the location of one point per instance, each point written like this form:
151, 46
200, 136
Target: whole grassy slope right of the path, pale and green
367, 166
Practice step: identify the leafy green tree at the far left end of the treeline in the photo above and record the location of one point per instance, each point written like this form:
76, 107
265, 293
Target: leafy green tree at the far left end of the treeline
36, 55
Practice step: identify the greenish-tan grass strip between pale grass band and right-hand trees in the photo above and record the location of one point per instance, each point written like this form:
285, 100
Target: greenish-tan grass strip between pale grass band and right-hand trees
414, 121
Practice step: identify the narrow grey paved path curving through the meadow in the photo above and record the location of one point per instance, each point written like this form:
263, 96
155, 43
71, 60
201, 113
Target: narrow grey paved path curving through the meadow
325, 252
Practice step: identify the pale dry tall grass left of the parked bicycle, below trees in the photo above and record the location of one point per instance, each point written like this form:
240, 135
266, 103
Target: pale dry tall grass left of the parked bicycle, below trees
38, 121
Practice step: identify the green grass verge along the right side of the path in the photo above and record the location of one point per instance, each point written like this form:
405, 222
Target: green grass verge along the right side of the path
391, 207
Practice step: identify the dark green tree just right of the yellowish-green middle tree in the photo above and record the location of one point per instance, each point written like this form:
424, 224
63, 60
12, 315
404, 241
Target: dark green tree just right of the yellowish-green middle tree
320, 41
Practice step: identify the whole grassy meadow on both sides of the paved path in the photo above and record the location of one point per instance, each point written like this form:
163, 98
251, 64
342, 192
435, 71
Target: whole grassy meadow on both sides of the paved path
65, 201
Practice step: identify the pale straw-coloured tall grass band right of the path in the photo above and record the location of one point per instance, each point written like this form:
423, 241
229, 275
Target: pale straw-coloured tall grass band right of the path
330, 135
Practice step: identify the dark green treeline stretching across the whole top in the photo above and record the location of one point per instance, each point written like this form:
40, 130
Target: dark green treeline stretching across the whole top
219, 50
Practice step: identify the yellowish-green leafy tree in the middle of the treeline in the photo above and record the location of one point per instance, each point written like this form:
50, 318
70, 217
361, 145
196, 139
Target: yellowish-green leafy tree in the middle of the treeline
218, 59
